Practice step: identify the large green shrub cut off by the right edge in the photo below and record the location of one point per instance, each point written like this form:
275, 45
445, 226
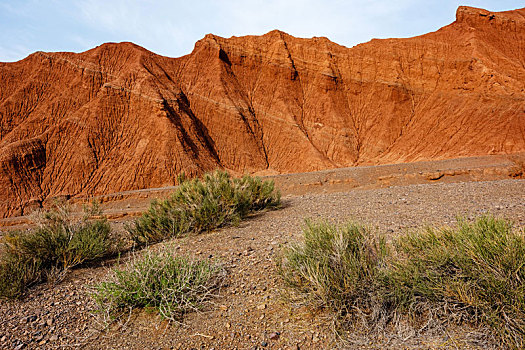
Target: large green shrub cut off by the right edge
474, 272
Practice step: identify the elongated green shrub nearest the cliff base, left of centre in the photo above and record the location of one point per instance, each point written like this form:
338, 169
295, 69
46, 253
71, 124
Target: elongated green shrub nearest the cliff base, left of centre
204, 204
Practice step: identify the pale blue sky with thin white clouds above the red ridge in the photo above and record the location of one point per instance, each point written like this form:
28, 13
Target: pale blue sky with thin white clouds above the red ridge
171, 28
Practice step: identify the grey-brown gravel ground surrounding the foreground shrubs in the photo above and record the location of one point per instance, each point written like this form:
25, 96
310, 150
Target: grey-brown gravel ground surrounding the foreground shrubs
249, 309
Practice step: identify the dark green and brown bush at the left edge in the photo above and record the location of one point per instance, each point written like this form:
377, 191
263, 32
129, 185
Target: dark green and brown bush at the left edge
59, 243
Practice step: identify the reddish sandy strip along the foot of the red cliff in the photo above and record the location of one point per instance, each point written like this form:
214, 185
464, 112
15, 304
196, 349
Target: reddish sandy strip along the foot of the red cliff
129, 204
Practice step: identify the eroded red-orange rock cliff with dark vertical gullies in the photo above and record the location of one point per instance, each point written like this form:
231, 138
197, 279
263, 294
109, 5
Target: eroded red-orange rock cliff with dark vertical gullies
119, 117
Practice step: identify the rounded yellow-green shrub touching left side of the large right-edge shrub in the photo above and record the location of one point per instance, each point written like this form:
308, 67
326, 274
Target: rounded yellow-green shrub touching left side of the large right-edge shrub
335, 266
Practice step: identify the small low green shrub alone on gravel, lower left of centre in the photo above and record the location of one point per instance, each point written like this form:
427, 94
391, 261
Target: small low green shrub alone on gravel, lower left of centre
160, 280
